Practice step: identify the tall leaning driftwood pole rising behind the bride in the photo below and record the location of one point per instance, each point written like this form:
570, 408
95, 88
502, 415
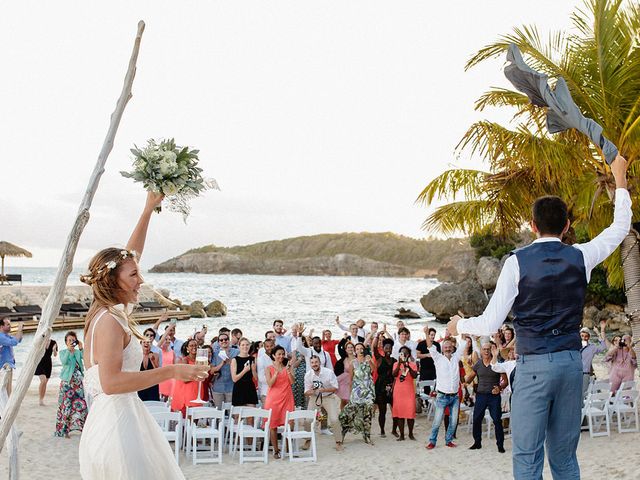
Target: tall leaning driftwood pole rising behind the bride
54, 299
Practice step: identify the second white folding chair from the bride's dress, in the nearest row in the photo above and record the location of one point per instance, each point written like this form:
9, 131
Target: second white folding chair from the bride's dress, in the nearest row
207, 423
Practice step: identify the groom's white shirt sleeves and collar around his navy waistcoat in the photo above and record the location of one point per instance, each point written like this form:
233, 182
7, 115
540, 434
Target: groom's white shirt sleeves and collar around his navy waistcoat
593, 252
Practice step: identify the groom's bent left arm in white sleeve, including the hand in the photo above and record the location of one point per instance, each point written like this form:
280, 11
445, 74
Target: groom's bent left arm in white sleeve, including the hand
498, 308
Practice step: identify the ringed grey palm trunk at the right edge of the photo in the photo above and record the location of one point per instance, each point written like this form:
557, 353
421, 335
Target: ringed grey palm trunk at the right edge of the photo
631, 266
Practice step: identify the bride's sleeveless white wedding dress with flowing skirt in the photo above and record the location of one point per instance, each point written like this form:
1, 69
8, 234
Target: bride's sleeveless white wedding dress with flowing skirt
120, 439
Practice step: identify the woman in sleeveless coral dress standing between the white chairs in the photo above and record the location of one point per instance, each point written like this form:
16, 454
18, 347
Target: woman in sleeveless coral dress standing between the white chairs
280, 396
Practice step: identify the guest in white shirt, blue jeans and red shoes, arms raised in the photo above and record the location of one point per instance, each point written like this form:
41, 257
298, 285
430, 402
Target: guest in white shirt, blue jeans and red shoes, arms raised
448, 382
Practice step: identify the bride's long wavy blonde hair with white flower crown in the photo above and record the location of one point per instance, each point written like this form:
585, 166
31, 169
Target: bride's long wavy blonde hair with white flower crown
103, 280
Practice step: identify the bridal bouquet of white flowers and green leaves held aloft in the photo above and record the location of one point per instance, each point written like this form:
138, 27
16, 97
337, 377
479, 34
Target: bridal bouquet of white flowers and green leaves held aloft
164, 167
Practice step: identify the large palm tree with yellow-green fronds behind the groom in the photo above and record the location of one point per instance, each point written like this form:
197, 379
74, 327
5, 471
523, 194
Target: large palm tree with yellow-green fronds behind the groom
600, 61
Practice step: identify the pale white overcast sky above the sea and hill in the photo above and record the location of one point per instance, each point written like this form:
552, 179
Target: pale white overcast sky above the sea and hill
314, 117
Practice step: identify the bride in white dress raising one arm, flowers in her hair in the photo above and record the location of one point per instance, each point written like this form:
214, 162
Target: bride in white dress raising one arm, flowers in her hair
121, 440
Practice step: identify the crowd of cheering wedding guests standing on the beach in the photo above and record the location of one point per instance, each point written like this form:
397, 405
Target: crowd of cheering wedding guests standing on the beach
350, 380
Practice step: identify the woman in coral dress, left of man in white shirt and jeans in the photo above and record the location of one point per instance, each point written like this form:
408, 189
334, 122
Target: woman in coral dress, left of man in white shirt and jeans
404, 391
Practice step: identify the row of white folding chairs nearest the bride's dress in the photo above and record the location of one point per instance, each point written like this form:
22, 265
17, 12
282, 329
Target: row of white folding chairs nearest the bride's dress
236, 429
